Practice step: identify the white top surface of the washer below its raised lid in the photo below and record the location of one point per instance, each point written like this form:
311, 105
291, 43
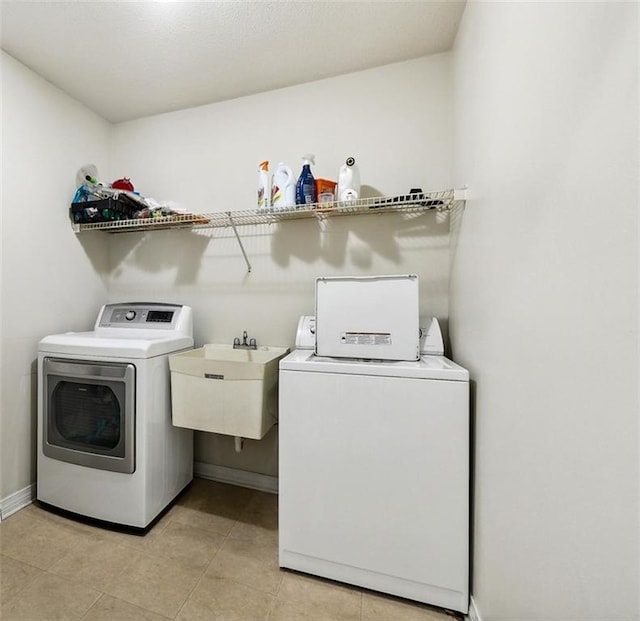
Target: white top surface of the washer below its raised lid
428, 367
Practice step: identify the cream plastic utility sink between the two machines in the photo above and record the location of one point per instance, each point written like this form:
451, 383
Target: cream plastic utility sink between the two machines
220, 389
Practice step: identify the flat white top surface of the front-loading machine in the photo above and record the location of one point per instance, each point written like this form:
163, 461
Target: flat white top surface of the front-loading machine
120, 346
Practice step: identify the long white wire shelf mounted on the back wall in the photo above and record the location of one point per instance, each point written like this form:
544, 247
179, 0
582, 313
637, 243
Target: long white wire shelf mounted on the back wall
442, 201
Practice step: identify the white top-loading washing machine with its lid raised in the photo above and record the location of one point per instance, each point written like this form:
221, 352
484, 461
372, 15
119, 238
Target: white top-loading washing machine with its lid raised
374, 454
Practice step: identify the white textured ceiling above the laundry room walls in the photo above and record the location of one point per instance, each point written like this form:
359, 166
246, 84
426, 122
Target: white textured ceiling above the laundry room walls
126, 60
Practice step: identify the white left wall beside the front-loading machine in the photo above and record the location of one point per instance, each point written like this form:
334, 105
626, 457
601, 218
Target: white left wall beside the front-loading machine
52, 281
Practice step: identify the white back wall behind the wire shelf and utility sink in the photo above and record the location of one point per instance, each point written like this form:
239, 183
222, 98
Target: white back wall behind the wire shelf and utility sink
396, 121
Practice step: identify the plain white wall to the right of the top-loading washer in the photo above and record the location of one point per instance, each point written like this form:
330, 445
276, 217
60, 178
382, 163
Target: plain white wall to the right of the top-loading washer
544, 304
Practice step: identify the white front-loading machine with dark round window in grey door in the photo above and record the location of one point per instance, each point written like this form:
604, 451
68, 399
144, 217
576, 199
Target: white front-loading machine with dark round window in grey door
106, 447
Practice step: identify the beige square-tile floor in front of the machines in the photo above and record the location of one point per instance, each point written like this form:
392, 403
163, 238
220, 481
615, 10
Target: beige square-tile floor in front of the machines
213, 556
